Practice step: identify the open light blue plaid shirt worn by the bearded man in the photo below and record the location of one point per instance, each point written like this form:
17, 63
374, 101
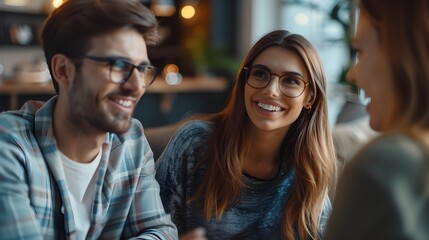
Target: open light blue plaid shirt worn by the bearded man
34, 199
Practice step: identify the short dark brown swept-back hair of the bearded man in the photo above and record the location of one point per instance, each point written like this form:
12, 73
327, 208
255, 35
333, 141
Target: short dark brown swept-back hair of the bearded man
69, 28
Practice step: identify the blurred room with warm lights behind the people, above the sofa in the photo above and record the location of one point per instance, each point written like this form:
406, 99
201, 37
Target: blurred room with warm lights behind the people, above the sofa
203, 44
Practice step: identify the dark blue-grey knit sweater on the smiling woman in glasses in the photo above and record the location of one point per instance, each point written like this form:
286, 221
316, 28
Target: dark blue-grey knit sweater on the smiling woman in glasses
258, 214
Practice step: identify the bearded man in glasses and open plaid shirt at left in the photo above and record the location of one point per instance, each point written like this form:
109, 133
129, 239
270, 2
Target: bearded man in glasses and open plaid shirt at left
78, 166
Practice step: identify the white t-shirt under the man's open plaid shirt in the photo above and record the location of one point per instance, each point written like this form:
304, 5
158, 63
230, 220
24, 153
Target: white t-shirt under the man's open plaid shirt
80, 180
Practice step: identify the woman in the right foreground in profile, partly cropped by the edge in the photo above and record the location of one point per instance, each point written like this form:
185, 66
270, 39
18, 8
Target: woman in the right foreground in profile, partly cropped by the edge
384, 192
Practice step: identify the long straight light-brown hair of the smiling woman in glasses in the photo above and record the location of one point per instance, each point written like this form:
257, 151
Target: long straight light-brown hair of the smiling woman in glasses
308, 143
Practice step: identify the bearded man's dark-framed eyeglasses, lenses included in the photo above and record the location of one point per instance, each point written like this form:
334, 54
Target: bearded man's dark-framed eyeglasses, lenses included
121, 70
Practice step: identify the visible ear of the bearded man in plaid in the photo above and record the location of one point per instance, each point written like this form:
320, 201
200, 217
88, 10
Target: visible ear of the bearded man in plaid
63, 69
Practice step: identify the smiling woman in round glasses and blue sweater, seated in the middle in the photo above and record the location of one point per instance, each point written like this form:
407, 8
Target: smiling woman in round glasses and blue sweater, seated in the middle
261, 168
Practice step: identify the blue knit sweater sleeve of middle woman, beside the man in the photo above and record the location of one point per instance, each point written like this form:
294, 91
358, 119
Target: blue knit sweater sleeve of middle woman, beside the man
174, 169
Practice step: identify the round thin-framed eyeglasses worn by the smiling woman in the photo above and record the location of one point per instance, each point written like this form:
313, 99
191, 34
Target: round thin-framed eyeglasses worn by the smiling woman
259, 76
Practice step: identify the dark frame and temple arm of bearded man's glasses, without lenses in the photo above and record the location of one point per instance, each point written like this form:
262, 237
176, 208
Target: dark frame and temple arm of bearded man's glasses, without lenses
111, 60
